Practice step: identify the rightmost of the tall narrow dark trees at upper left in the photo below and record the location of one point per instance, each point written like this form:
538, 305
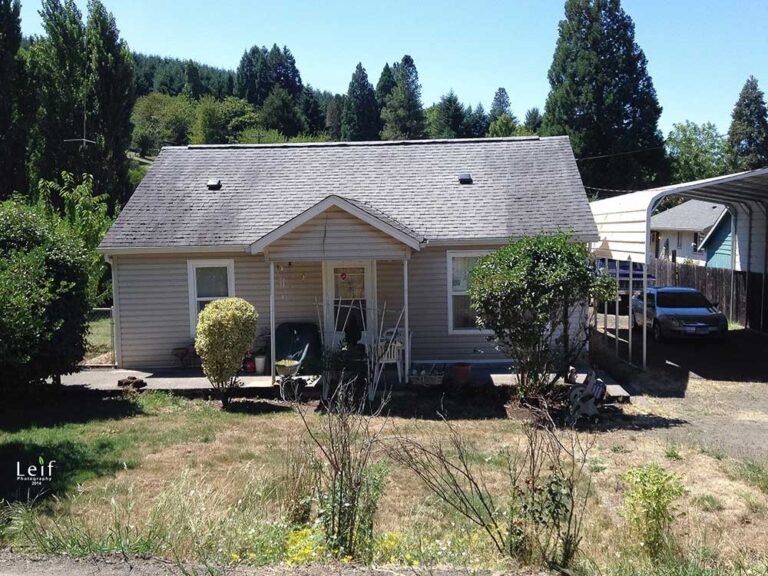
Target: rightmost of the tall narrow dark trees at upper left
110, 82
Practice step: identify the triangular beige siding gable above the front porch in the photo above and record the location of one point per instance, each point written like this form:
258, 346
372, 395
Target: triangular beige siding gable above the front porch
336, 235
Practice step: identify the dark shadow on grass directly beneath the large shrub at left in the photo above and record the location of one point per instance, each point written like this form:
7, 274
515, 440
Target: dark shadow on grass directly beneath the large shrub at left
48, 405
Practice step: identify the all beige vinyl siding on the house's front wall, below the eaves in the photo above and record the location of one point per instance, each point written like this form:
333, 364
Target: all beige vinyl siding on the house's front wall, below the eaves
153, 302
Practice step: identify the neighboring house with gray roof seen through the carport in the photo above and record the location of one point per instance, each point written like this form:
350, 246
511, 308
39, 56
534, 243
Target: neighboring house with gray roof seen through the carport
678, 233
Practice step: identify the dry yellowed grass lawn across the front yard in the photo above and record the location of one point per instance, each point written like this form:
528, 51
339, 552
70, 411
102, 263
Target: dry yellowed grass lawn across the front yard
183, 459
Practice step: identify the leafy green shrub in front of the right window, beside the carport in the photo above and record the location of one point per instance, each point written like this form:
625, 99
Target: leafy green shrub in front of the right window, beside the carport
525, 293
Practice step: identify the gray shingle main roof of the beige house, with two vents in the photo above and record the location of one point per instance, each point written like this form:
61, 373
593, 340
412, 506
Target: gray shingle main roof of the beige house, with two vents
521, 186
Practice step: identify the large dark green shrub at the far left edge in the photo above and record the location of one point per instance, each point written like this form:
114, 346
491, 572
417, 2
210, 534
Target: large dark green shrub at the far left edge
44, 296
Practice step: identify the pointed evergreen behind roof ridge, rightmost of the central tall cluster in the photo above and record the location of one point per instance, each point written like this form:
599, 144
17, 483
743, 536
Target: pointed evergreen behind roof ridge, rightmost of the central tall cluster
403, 115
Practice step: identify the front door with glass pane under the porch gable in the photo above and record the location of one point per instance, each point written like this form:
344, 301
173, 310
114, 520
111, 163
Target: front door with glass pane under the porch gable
350, 302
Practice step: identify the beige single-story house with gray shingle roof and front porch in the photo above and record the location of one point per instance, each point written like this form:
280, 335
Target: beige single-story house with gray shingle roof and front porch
302, 230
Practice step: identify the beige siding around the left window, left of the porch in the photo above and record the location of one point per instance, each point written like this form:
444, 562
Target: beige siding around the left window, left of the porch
153, 303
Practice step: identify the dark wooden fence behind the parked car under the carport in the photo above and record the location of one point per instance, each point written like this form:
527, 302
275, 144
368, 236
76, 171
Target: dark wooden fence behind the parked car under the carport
750, 296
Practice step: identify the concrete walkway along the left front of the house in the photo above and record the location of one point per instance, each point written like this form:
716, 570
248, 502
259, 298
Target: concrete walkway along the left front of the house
106, 379
